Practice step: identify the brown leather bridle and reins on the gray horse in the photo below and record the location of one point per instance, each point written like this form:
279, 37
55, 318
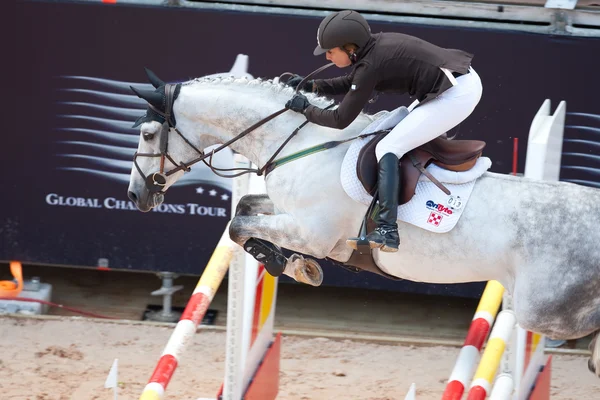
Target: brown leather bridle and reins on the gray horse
156, 181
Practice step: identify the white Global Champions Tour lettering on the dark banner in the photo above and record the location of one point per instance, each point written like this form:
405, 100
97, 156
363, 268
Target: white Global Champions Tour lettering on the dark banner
112, 203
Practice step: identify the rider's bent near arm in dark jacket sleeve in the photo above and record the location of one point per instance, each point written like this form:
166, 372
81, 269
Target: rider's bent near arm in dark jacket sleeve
360, 91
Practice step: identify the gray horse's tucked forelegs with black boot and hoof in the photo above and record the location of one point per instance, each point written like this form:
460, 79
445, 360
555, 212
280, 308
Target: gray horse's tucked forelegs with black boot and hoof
257, 233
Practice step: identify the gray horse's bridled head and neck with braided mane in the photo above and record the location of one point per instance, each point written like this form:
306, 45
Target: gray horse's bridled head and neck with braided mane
183, 119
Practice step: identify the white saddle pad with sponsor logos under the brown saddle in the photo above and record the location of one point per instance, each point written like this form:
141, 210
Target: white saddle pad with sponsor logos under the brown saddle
430, 208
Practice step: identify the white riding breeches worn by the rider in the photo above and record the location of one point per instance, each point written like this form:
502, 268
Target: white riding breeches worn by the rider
433, 118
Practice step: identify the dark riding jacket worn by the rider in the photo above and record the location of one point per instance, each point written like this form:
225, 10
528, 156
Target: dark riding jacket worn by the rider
389, 63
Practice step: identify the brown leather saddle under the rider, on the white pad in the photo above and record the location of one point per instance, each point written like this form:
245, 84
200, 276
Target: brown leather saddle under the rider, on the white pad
454, 155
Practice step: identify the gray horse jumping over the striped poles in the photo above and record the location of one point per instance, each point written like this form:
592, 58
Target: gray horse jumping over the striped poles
539, 239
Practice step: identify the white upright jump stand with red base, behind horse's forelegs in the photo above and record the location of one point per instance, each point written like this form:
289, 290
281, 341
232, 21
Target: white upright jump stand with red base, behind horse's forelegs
252, 349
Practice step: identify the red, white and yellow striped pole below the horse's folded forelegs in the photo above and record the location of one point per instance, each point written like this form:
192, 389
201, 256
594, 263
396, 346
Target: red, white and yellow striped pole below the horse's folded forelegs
190, 319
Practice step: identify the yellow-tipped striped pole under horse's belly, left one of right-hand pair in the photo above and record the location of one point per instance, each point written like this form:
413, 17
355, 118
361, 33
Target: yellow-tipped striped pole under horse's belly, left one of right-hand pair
478, 331
